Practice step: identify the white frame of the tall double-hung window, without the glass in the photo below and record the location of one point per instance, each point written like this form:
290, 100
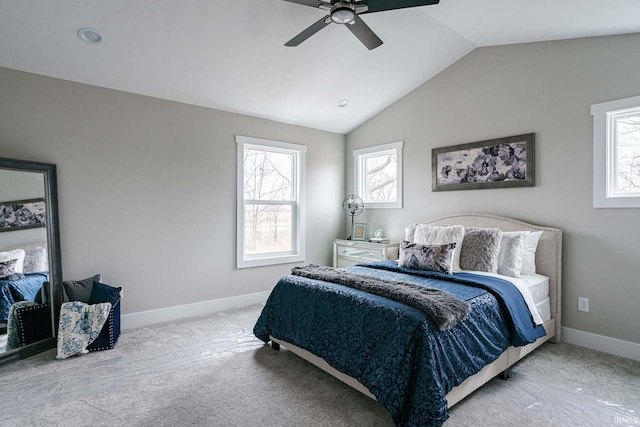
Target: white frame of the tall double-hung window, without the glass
297, 253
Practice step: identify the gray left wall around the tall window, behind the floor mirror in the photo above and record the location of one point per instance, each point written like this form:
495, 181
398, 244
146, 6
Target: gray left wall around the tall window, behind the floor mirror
147, 187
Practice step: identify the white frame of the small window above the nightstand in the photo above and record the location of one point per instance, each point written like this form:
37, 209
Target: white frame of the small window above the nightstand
359, 157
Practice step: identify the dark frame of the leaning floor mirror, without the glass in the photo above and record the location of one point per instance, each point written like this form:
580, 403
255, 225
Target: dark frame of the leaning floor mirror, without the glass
55, 255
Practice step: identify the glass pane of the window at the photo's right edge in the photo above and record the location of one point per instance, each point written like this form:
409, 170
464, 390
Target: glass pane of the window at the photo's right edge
628, 154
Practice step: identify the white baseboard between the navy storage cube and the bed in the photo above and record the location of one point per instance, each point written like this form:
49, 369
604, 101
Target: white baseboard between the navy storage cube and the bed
149, 317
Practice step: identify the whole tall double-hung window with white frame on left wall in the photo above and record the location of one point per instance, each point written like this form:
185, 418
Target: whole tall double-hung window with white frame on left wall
270, 202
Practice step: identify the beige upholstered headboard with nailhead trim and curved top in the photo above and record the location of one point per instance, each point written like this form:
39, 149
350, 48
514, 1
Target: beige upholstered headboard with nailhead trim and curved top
548, 254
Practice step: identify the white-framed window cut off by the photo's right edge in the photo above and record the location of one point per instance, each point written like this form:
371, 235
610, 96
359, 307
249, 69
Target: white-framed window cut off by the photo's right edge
616, 153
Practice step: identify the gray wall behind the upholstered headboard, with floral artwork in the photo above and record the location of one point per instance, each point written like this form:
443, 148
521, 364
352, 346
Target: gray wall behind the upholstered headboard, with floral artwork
546, 88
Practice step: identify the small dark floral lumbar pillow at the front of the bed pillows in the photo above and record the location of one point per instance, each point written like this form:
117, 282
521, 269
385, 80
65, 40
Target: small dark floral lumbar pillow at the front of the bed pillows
427, 257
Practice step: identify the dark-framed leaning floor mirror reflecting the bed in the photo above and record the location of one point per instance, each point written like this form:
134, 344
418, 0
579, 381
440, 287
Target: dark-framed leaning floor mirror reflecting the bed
30, 259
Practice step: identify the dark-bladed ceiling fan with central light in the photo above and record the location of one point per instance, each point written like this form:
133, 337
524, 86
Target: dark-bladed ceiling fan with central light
346, 12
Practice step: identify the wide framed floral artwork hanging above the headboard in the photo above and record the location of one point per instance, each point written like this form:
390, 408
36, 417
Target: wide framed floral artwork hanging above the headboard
495, 163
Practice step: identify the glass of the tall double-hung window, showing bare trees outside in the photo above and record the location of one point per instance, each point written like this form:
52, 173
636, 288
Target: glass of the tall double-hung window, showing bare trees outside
268, 195
